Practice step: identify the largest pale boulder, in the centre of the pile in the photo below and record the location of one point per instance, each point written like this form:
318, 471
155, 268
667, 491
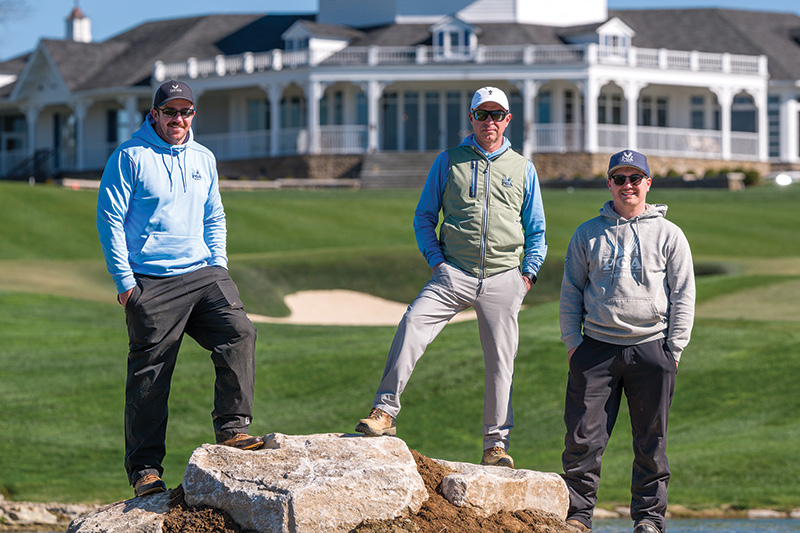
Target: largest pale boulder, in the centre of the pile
328, 482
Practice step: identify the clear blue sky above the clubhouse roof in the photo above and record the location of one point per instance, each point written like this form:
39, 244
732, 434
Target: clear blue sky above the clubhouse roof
46, 18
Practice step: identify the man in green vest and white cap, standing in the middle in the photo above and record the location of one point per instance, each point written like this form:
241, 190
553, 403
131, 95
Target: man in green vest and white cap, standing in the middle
492, 211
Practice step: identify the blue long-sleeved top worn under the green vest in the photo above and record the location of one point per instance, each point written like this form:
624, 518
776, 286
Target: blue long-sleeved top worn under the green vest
426, 216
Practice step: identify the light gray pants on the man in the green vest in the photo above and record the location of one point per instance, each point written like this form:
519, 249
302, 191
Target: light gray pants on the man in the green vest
496, 300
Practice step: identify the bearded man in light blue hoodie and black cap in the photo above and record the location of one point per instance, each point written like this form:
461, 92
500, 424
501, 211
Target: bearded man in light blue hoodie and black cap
163, 234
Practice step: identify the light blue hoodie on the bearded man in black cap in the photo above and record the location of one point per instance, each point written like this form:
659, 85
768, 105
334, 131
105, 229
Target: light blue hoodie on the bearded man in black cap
159, 211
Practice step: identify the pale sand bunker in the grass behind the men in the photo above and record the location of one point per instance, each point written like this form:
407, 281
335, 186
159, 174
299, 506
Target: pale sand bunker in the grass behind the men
343, 308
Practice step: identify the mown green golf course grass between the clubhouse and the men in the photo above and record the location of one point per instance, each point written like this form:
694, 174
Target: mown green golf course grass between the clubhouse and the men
734, 428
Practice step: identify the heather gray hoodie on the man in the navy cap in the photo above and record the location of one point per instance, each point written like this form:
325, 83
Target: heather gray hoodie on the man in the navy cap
628, 281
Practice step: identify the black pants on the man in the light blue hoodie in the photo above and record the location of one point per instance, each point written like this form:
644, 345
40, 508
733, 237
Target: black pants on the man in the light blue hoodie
204, 304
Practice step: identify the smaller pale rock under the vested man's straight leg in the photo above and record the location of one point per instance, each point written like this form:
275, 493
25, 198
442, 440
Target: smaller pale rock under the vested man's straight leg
489, 489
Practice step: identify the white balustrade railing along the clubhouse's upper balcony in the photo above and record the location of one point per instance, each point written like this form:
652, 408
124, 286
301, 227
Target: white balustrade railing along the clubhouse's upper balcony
586, 54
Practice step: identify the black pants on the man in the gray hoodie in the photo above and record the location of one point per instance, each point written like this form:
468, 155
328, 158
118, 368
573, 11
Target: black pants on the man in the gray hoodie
598, 374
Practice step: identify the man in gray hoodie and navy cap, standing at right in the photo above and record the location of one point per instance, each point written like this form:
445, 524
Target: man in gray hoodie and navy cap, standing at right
626, 314
